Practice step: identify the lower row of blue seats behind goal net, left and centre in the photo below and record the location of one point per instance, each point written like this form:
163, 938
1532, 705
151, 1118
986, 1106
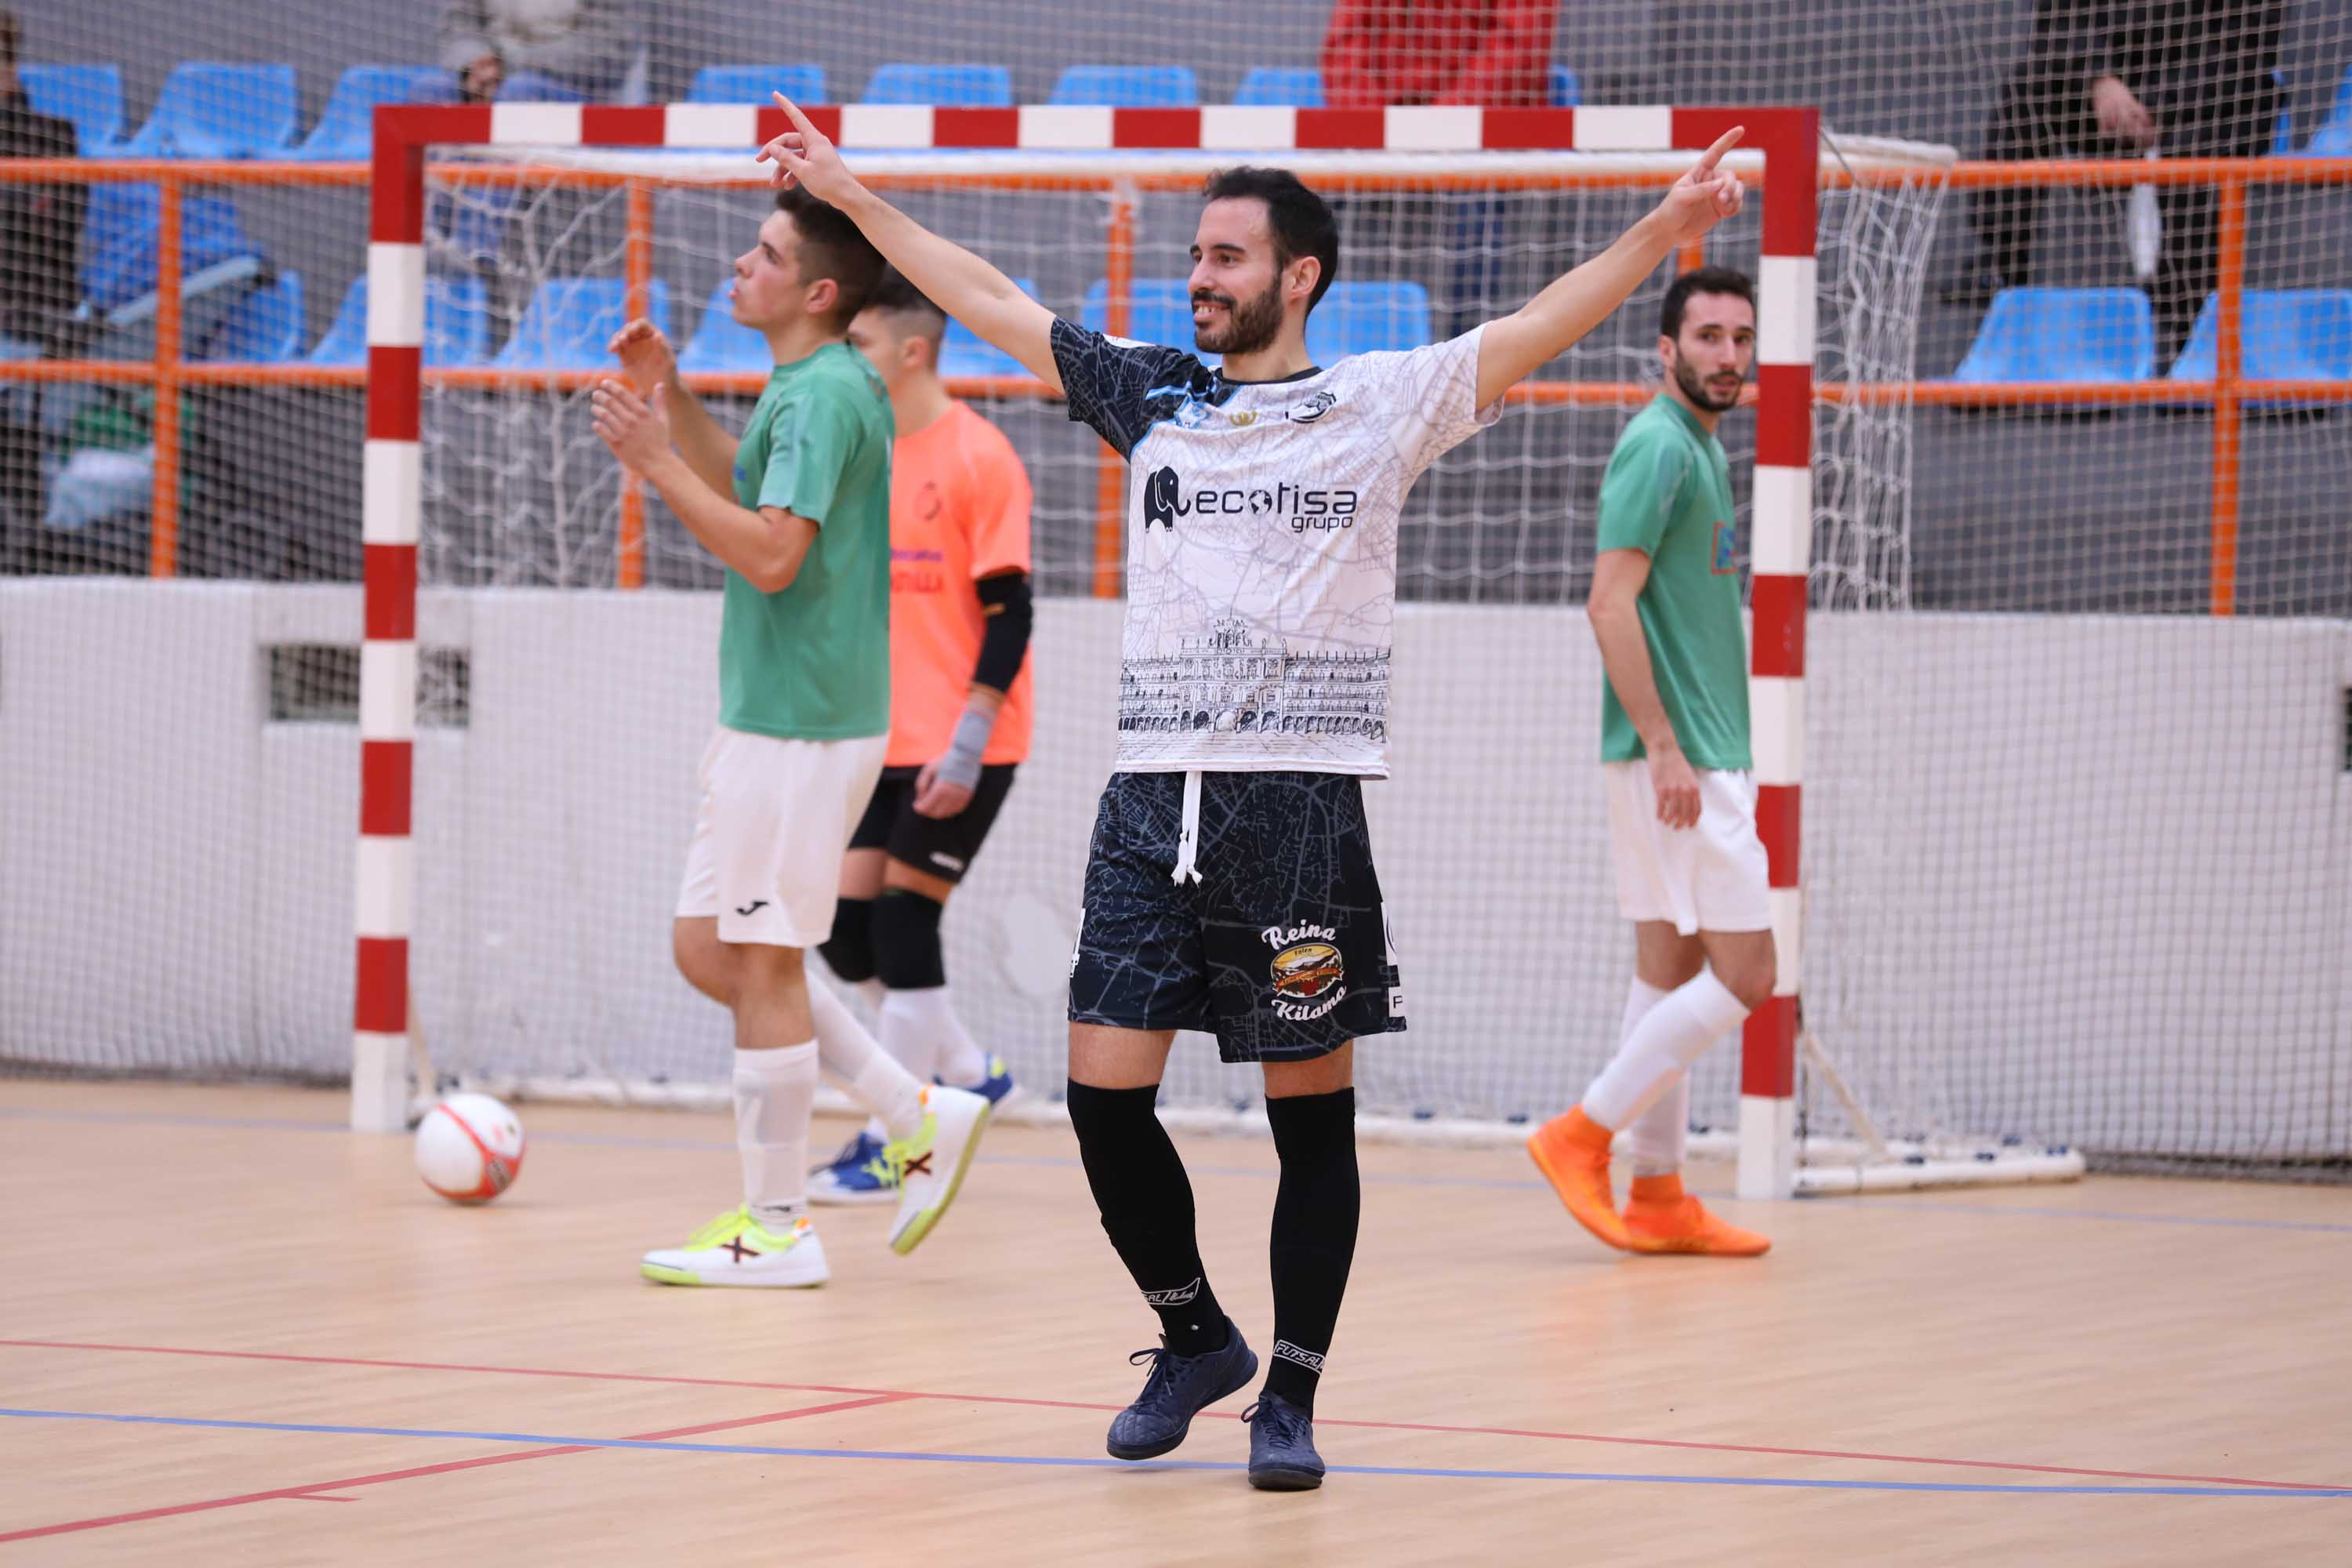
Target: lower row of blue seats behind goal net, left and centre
570, 321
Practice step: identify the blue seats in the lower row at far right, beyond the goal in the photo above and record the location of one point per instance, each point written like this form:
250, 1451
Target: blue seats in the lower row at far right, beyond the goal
2109, 335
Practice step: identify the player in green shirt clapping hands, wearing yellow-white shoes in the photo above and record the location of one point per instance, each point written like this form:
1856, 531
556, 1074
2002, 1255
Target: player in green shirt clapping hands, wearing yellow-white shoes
799, 514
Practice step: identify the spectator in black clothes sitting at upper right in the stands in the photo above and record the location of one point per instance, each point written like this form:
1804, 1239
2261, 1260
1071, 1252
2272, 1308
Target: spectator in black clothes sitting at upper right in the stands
2116, 79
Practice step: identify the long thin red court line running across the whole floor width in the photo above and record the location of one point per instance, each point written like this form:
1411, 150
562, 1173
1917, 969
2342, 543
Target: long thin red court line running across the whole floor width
1076, 1405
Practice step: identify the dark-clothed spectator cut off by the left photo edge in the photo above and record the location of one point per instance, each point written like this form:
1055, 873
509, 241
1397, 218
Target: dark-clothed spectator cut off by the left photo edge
41, 227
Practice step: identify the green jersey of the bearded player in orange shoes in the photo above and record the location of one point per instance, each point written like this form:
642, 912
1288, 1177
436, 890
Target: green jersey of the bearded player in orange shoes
1669, 495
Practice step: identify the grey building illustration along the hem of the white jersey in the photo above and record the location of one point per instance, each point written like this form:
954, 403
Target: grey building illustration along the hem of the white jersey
1231, 681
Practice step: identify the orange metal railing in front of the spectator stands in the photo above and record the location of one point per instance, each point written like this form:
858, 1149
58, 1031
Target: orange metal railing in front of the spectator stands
171, 373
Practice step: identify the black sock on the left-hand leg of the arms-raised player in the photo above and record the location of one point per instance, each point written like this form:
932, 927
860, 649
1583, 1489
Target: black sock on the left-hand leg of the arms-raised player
1147, 1205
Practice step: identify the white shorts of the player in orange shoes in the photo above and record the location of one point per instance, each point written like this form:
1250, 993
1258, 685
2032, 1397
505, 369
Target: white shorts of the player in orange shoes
1706, 878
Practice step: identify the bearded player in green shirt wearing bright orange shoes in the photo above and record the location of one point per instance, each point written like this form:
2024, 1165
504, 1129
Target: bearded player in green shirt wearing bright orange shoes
1683, 803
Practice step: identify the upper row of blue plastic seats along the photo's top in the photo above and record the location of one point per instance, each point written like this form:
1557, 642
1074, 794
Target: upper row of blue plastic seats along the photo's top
220, 109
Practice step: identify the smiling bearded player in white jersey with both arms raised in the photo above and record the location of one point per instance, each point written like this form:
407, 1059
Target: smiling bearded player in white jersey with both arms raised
1231, 883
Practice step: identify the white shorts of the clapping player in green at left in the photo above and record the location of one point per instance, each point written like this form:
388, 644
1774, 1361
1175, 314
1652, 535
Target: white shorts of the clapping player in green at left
770, 833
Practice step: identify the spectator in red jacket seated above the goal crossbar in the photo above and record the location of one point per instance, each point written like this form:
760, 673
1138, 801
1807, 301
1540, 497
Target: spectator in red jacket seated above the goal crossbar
1488, 53
